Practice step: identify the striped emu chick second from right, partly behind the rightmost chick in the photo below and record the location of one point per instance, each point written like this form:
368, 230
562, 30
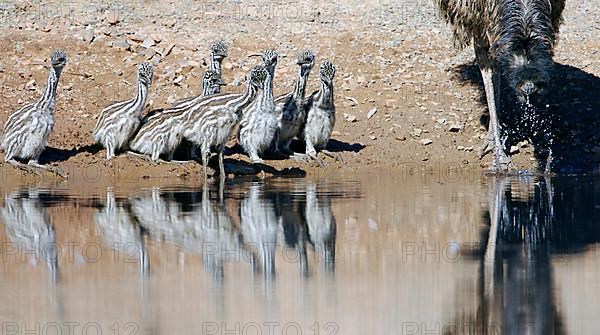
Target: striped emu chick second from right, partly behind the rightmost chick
290, 107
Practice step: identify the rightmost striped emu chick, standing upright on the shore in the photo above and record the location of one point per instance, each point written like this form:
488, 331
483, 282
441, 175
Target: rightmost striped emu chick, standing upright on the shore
320, 112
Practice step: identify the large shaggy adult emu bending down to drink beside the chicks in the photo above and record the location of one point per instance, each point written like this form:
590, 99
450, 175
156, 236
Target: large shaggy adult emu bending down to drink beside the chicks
513, 39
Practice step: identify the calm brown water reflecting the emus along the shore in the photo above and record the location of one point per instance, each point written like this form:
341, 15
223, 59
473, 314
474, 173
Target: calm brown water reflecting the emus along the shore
366, 254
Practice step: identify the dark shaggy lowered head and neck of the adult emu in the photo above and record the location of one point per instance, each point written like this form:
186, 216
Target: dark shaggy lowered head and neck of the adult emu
524, 46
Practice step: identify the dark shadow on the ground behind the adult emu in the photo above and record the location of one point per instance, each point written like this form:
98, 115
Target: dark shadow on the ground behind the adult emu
567, 120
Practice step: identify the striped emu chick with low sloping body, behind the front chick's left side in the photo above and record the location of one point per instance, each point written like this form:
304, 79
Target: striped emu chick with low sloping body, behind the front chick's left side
161, 130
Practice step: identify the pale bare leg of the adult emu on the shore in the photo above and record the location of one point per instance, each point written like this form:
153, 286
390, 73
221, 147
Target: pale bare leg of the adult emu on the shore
493, 141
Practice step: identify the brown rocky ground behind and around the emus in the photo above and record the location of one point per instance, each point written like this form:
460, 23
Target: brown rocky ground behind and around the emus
404, 95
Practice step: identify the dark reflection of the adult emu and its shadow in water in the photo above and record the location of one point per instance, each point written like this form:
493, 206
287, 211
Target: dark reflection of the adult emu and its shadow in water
530, 221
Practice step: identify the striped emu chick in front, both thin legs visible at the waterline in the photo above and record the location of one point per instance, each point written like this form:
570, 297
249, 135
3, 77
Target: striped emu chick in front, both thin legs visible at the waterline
210, 125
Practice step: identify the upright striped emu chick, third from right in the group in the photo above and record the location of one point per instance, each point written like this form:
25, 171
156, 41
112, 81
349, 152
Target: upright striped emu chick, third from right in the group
259, 120
